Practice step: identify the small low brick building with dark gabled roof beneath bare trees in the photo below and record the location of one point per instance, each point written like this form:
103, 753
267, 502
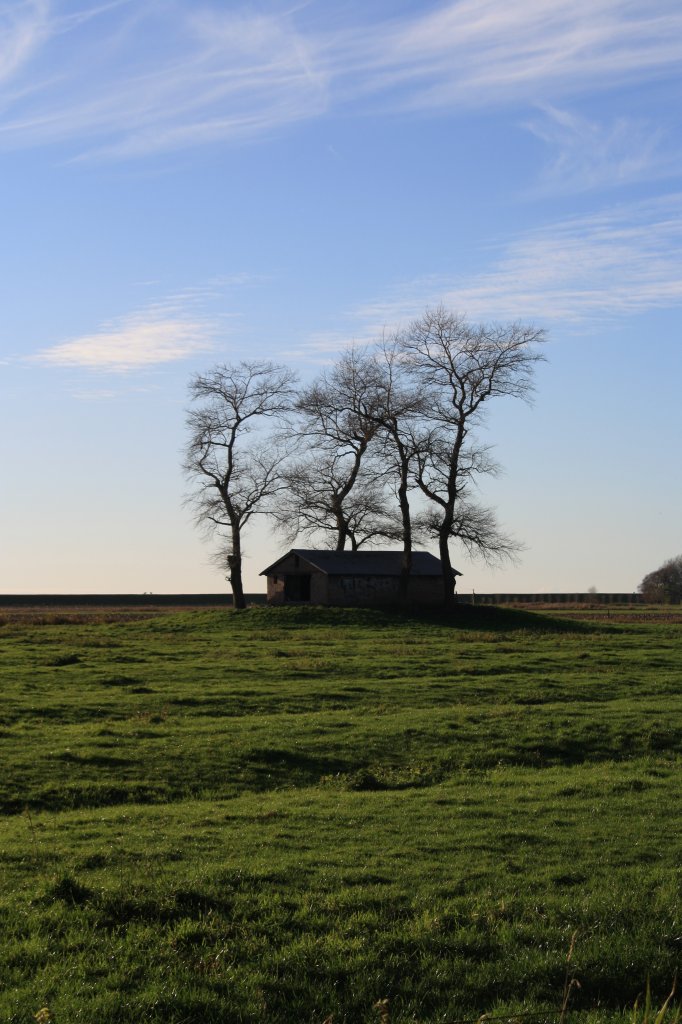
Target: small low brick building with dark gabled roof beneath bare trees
353, 578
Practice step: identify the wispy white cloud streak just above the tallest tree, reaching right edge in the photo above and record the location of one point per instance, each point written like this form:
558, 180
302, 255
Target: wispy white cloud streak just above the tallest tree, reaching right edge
618, 263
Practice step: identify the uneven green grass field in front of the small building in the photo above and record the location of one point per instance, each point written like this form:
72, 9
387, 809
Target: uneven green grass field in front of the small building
285, 815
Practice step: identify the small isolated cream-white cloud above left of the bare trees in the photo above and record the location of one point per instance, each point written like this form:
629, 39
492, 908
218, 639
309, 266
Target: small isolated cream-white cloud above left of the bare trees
159, 334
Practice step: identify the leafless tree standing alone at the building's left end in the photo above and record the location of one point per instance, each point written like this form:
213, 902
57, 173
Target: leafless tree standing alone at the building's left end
235, 473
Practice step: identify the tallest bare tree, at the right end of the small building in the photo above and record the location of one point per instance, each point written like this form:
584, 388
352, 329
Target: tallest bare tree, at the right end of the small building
460, 366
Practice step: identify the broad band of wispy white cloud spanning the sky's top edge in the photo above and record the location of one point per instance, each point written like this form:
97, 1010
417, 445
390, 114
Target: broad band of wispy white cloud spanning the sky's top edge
126, 80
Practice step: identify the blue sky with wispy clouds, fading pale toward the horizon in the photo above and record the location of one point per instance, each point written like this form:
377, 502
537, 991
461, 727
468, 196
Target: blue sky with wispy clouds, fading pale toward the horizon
188, 183
